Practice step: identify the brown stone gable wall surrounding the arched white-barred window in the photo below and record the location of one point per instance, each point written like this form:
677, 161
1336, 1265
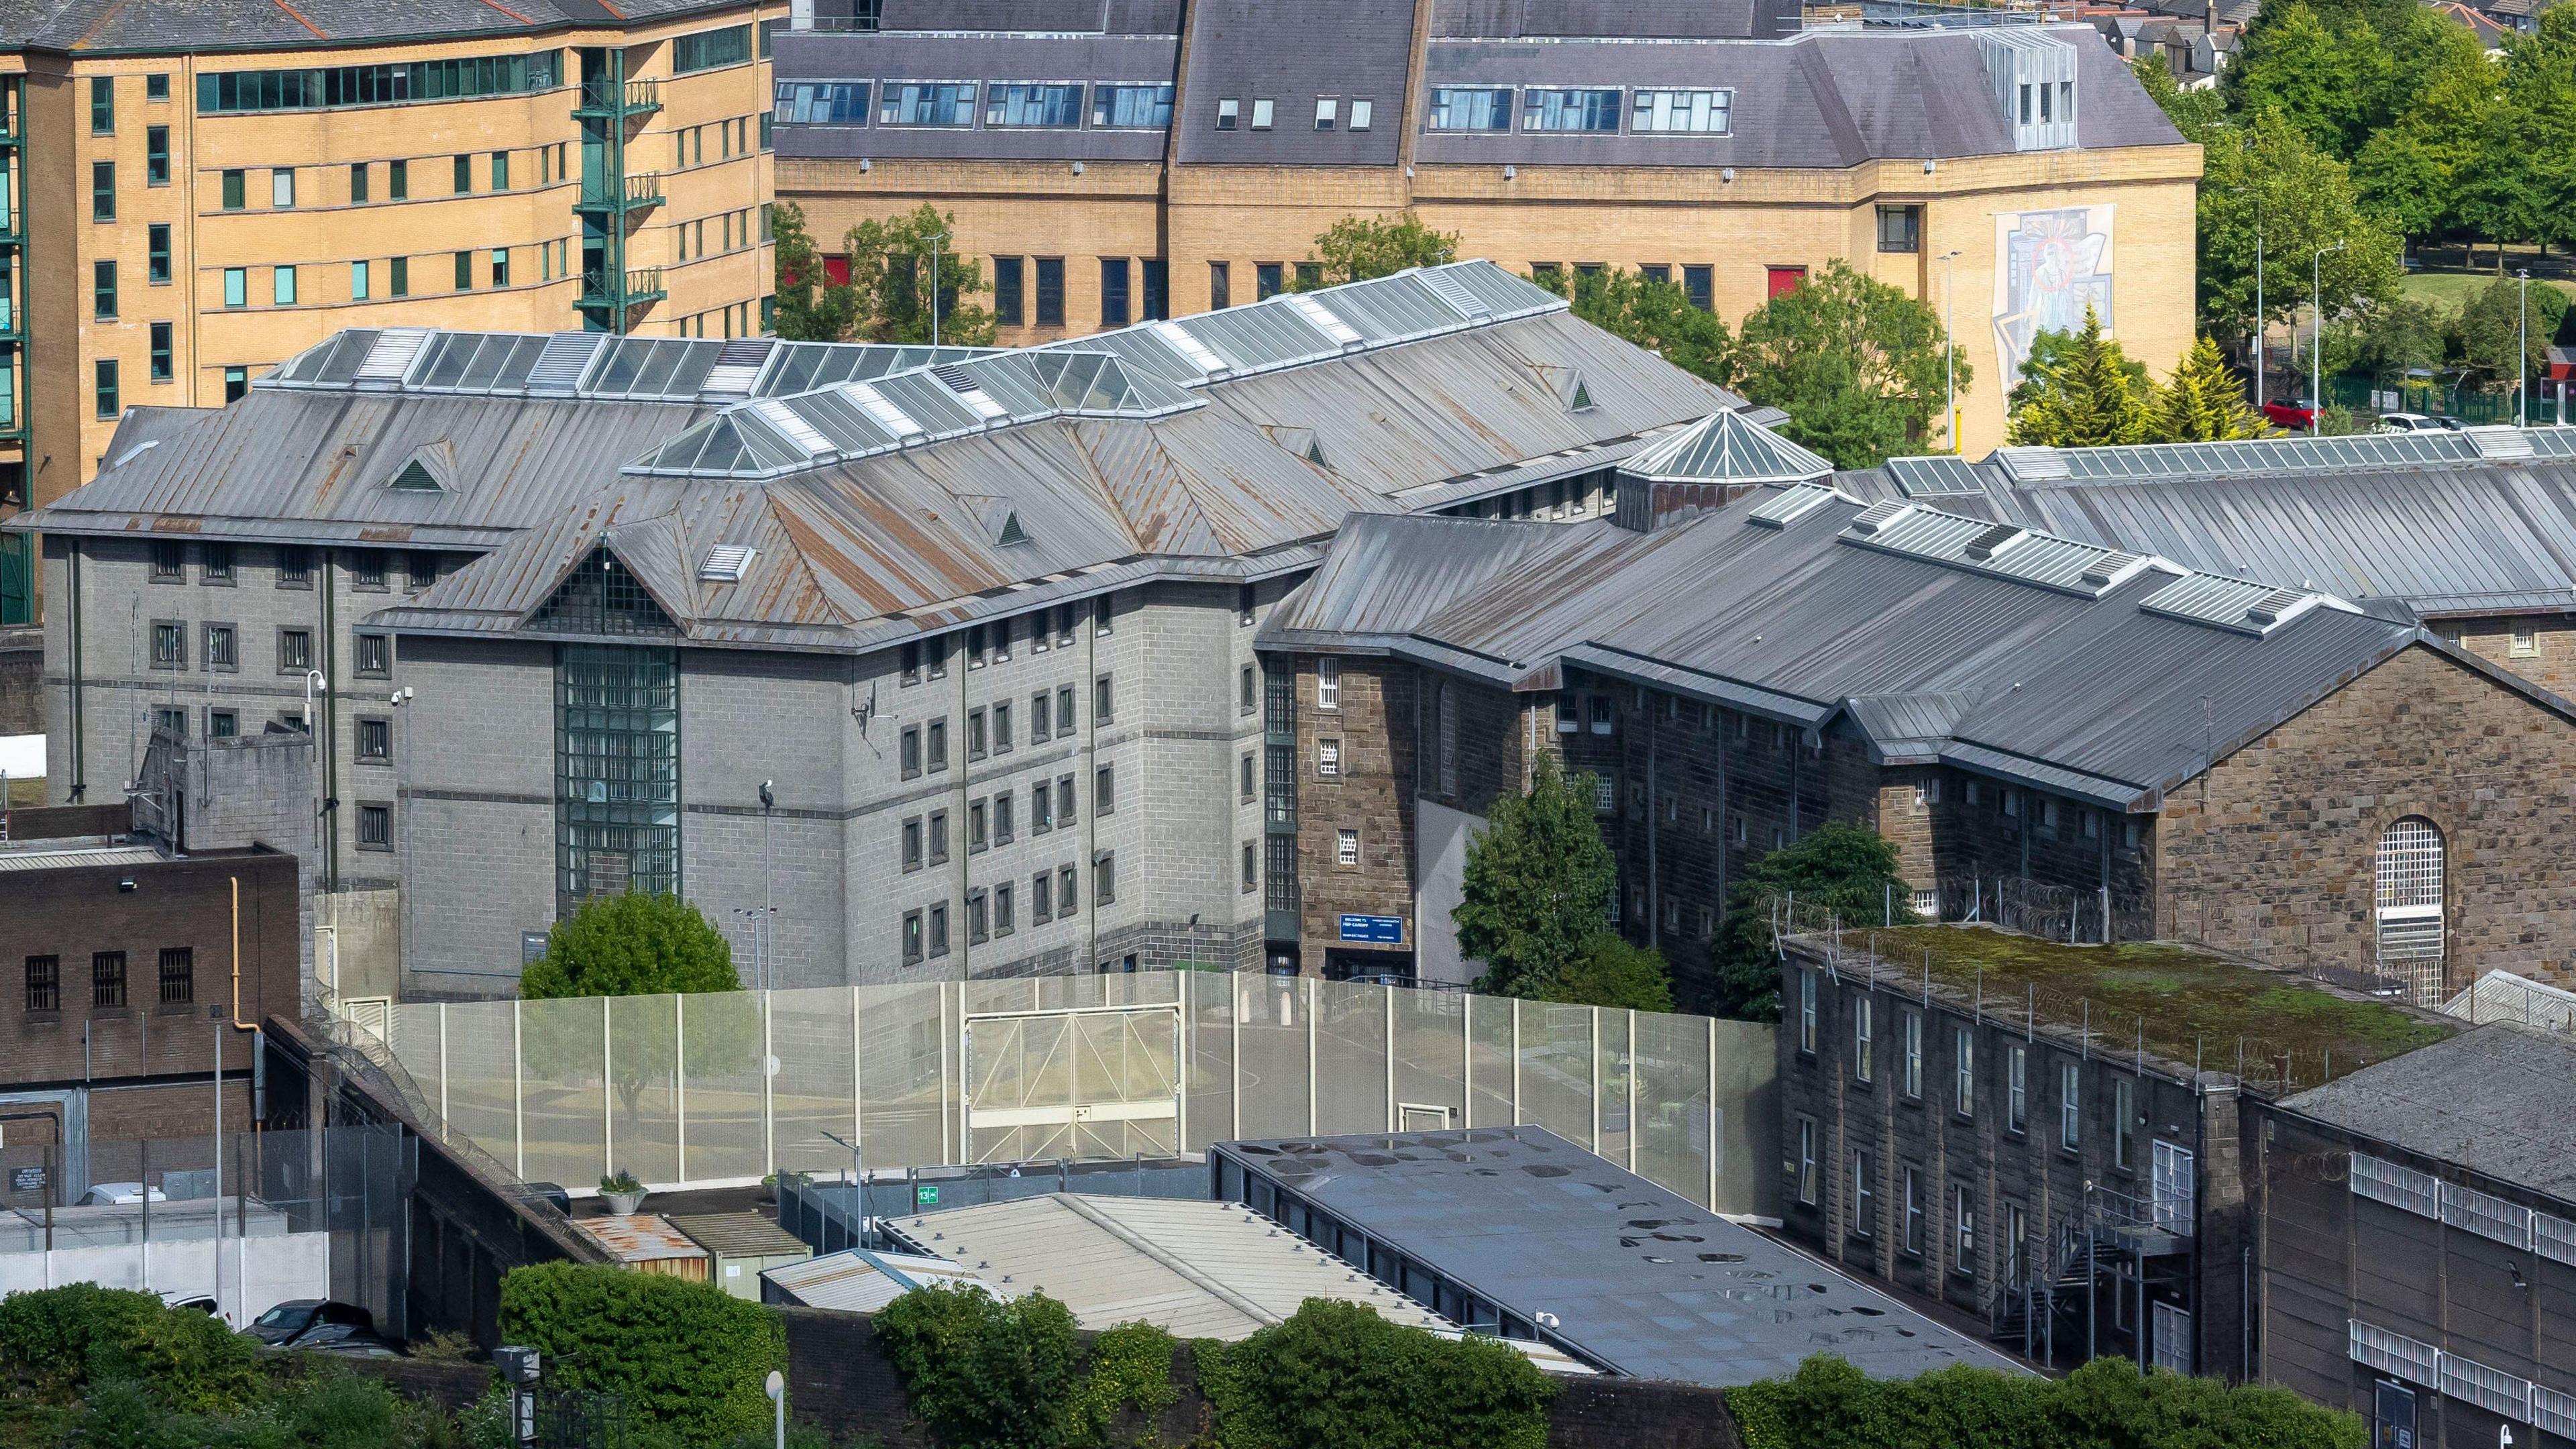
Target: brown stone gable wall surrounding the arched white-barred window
2278, 855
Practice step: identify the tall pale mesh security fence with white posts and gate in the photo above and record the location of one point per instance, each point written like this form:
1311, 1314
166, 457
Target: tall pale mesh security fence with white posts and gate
735, 1087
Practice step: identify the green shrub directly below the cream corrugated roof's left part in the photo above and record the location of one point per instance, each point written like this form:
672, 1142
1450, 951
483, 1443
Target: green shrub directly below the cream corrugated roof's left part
985, 1373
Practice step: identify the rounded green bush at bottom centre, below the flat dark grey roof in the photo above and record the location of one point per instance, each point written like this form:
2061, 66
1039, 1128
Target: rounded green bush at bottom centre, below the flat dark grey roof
1343, 1378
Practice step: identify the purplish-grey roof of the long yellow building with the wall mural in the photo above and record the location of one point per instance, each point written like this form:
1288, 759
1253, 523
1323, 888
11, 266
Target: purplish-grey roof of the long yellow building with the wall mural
1810, 99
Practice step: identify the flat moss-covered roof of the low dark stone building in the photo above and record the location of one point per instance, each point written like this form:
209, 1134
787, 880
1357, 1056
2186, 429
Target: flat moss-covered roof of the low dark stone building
2196, 1007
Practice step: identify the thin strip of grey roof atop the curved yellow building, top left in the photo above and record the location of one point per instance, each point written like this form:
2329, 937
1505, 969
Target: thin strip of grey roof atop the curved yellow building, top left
122, 27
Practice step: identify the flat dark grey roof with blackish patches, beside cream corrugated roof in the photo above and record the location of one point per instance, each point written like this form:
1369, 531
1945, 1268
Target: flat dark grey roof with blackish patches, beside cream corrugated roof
1637, 1278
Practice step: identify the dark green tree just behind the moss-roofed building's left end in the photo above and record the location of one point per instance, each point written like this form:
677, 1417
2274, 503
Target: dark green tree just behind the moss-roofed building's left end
1843, 873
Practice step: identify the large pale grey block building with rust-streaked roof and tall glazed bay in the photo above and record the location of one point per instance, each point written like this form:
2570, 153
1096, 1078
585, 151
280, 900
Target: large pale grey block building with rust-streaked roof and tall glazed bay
895, 664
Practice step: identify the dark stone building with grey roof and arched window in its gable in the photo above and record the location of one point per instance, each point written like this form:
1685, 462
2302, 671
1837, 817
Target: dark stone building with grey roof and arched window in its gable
2085, 741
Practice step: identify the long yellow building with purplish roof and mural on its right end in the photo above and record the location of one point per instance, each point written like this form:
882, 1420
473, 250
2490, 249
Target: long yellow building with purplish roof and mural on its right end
1117, 161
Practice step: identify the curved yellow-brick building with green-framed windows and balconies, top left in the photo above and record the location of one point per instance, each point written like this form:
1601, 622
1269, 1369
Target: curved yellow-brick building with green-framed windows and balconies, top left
194, 195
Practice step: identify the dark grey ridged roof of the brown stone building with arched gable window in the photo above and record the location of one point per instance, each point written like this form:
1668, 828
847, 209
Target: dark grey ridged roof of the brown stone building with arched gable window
2083, 672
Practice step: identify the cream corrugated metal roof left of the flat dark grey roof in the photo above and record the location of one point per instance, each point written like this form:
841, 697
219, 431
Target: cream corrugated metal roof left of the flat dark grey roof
1202, 1270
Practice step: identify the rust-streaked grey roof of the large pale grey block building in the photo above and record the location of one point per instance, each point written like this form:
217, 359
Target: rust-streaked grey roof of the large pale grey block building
1243, 481
